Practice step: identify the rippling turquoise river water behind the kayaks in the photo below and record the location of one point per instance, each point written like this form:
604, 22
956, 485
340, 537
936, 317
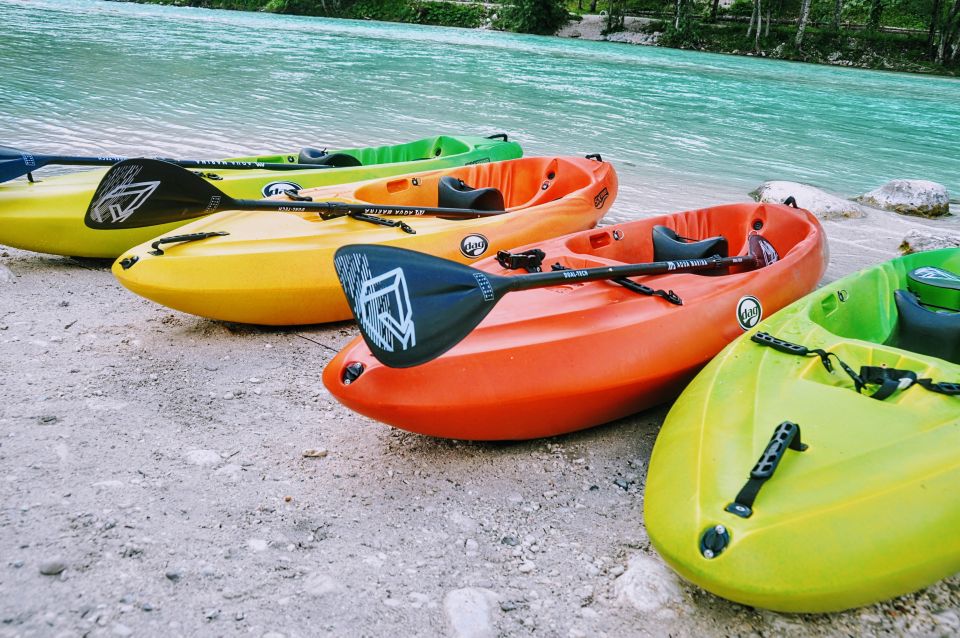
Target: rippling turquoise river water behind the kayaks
684, 129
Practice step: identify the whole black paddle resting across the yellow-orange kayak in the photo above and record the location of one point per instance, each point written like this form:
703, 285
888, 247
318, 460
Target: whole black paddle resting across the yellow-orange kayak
136, 193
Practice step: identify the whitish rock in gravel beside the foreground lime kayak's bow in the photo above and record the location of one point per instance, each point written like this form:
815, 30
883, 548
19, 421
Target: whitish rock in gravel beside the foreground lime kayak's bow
650, 587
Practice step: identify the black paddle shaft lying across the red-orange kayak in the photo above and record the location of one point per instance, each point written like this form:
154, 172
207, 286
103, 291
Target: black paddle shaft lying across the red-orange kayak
546, 279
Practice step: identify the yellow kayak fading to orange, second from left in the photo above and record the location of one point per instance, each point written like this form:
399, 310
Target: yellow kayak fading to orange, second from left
276, 268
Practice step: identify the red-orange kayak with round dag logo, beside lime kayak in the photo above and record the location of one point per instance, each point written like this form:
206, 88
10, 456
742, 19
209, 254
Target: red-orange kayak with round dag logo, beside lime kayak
553, 360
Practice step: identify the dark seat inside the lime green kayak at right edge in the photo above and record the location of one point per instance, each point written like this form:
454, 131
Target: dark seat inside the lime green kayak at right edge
926, 331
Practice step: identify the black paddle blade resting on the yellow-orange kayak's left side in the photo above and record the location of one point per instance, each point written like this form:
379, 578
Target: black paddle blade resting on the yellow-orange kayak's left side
142, 192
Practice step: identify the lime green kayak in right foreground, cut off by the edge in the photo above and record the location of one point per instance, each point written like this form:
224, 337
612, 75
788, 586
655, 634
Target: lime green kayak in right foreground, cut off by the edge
854, 498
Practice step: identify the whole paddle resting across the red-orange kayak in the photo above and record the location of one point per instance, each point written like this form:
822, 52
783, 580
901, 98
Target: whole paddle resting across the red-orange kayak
413, 307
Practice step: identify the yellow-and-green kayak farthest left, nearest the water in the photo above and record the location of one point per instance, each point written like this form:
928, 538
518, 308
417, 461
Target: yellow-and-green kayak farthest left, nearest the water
47, 215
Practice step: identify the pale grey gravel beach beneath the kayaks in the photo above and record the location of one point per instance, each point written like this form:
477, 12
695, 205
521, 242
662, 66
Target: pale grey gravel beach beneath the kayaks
168, 475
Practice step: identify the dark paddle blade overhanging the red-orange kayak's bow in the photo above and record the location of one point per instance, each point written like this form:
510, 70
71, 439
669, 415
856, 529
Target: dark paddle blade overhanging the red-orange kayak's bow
413, 307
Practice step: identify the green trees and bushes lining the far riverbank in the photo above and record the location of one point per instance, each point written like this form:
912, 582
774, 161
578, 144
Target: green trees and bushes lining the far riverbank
686, 24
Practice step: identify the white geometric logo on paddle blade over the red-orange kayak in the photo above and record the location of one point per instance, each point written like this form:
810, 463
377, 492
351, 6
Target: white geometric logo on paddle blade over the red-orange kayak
380, 303
